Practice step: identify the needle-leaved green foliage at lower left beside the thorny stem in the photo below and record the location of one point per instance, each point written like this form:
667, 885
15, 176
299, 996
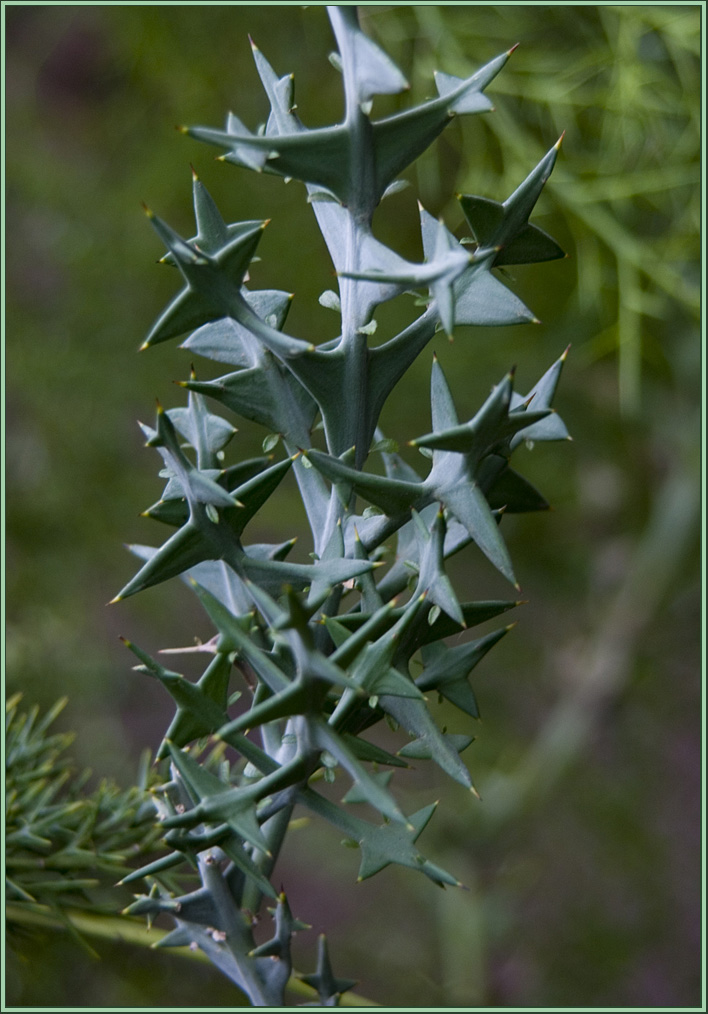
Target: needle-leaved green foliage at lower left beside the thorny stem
64, 845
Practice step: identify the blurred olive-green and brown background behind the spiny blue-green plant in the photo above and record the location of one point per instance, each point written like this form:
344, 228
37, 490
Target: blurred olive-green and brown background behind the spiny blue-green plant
583, 861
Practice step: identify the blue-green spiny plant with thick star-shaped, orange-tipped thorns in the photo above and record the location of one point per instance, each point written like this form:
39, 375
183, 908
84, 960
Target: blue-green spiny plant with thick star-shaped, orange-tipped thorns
323, 651
